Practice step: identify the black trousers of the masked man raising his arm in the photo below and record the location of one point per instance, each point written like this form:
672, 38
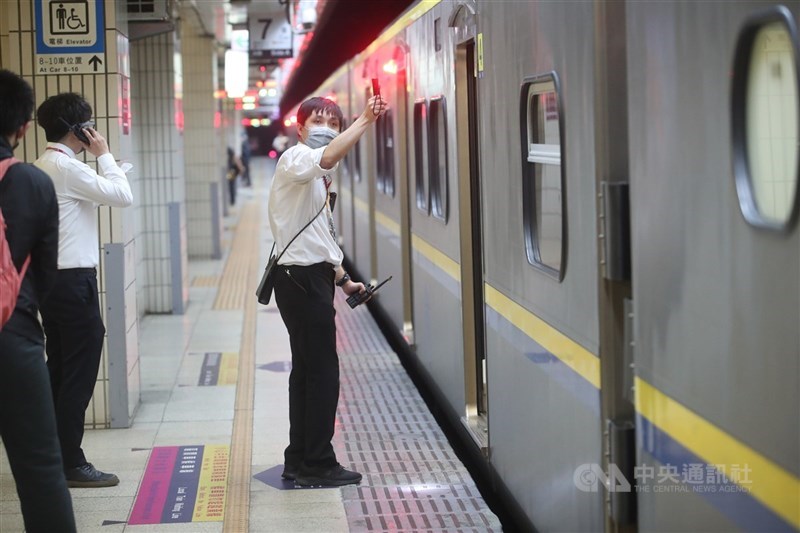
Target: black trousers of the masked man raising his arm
304, 295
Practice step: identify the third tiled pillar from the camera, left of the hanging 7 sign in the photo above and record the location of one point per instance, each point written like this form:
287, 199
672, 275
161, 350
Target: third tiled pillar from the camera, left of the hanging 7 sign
203, 165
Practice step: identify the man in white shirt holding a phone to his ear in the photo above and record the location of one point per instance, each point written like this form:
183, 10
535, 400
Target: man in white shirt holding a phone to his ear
71, 313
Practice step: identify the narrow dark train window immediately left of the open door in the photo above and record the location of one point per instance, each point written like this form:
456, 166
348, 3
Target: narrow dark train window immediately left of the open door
437, 158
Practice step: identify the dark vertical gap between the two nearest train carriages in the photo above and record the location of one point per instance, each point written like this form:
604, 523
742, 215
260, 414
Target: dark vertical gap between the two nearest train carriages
614, 277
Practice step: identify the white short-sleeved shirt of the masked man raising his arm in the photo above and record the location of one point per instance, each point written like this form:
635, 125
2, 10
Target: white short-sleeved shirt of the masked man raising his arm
298, 192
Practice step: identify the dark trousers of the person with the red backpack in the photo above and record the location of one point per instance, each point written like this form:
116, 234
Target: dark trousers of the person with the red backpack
28, 430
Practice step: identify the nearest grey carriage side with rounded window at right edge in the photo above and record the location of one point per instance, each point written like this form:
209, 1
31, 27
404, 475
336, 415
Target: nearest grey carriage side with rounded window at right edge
713, 137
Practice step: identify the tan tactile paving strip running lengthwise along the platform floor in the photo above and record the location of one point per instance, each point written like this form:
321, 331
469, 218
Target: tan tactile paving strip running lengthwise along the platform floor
236, 292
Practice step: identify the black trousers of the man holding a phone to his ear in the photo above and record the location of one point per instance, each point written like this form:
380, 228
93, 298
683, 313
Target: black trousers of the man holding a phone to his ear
75, 331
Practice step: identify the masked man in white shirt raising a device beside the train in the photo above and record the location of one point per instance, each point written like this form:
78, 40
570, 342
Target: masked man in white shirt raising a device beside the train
305, 280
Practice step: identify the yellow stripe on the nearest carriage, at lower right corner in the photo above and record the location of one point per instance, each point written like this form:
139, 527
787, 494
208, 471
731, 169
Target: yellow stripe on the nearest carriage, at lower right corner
773, 486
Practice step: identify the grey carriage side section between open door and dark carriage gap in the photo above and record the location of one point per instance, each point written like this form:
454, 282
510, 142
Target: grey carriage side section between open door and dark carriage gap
540, 256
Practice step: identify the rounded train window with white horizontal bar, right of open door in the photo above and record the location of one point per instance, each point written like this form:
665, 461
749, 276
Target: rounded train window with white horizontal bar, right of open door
543, 173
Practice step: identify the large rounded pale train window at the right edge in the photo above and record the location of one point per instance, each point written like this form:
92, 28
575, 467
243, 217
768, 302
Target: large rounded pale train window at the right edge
765, 120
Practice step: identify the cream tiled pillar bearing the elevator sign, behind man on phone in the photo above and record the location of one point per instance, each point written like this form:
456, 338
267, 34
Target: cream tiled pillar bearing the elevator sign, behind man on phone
106, 92
